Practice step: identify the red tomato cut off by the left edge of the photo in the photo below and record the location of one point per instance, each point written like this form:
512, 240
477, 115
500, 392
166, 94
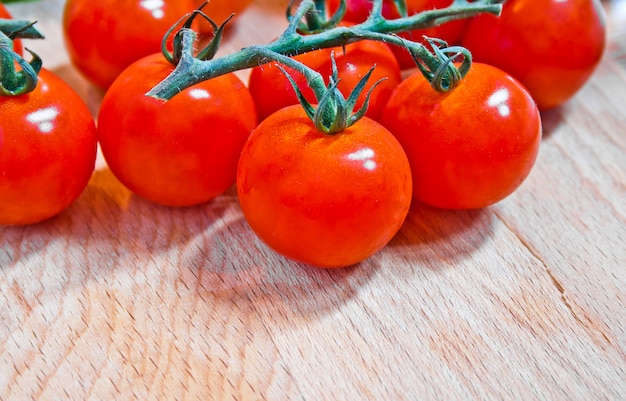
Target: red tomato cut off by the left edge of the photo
47, 151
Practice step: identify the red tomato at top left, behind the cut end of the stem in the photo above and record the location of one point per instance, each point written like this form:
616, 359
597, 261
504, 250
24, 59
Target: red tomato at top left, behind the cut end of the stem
104, 37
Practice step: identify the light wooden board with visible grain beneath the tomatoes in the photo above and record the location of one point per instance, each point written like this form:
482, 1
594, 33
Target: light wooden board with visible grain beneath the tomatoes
119, 299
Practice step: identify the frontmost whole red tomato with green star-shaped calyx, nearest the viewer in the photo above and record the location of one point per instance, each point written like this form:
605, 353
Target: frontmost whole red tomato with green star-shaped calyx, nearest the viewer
325, 200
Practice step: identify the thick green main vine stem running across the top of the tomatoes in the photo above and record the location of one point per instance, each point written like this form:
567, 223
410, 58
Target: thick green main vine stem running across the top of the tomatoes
191, 71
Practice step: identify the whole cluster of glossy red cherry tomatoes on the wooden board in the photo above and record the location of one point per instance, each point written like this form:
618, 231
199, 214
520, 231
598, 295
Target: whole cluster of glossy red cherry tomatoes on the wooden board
326, 199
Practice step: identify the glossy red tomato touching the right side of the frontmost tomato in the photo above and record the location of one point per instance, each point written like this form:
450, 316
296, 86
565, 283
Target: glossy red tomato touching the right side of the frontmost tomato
470, 147
